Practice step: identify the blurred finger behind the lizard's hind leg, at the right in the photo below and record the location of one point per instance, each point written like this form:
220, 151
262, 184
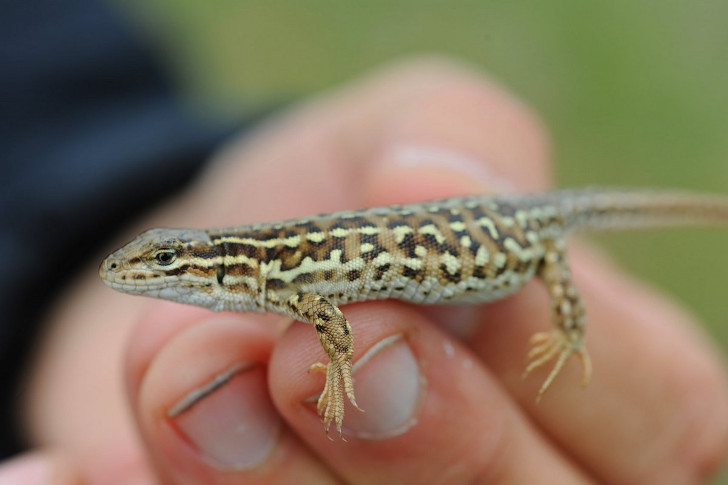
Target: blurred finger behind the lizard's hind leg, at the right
657, 401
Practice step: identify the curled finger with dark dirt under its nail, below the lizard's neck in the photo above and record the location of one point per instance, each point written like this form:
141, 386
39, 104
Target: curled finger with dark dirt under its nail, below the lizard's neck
199, 393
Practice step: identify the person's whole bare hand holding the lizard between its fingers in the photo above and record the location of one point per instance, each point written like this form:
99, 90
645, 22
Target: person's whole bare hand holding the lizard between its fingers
110, 365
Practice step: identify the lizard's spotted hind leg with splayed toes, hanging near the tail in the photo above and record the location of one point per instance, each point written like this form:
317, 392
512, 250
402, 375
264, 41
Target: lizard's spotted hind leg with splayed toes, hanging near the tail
567, 336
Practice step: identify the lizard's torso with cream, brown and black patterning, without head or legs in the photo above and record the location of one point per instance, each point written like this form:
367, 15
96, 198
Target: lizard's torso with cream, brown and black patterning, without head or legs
463, 251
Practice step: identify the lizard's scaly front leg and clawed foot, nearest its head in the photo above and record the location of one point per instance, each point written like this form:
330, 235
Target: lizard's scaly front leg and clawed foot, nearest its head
336, 338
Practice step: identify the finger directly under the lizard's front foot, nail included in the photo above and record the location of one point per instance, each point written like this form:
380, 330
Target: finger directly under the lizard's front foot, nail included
432, 413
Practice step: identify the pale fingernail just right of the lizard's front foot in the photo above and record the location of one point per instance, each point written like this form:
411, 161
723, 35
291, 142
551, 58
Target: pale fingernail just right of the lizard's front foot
389, 388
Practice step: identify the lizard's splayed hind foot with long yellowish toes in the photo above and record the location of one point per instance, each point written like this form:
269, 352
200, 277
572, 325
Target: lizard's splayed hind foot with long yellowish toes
546, 346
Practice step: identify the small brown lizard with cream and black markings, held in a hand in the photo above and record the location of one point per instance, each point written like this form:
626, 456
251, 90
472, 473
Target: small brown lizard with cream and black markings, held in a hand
460, 250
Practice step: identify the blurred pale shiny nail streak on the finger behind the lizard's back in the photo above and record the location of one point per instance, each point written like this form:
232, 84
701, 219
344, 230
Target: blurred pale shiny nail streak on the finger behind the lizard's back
447, 160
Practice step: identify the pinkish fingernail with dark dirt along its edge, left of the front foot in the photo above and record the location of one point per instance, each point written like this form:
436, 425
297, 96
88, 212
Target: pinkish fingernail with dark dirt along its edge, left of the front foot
231, 420
